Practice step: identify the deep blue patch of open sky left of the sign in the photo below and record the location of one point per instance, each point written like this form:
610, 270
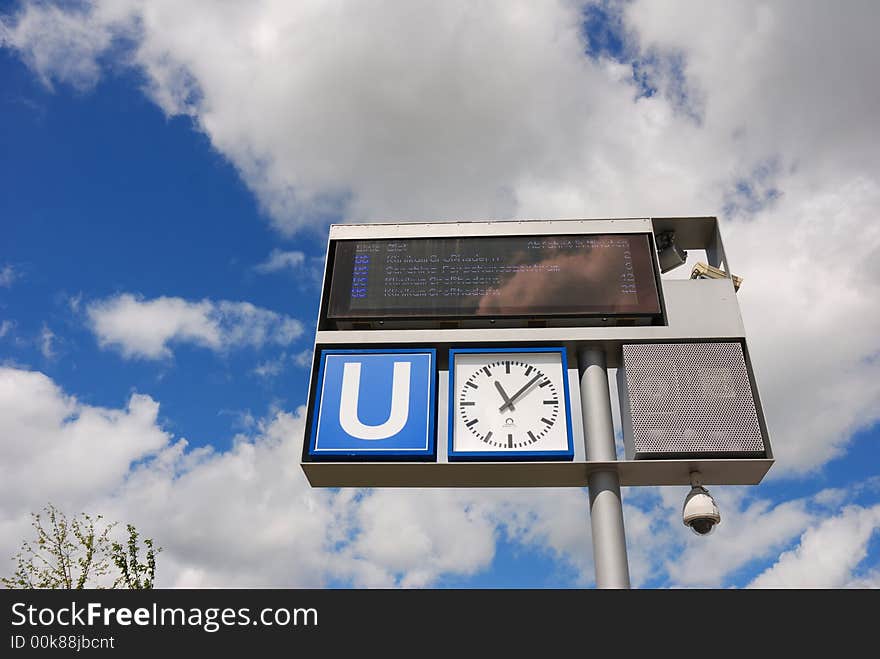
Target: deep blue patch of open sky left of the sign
110, 196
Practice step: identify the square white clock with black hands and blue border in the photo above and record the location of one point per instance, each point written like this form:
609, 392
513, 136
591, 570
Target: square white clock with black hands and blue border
509, 404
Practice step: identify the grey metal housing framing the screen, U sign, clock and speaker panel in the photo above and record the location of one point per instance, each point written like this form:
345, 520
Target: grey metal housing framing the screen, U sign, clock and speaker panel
693, 311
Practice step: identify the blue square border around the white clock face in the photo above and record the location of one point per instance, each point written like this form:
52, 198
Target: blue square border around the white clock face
508, 456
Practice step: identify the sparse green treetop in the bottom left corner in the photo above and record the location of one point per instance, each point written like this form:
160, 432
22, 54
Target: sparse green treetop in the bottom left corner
79, 553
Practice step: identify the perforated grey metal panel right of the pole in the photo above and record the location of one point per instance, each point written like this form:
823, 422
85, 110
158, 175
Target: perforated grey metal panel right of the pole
680, 399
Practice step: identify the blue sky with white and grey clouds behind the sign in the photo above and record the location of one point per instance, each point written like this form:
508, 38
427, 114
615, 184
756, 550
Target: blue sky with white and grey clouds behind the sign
168, 173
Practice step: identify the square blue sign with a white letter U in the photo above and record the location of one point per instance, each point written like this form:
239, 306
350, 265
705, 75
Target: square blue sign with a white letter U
374, 404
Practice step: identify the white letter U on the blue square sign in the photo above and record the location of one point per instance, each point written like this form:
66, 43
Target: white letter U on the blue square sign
348, 416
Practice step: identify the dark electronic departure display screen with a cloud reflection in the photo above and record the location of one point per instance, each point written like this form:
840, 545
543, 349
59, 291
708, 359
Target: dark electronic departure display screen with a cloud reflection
598, 274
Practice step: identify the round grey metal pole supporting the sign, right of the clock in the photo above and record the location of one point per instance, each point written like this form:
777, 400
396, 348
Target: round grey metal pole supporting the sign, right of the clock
606, 509
